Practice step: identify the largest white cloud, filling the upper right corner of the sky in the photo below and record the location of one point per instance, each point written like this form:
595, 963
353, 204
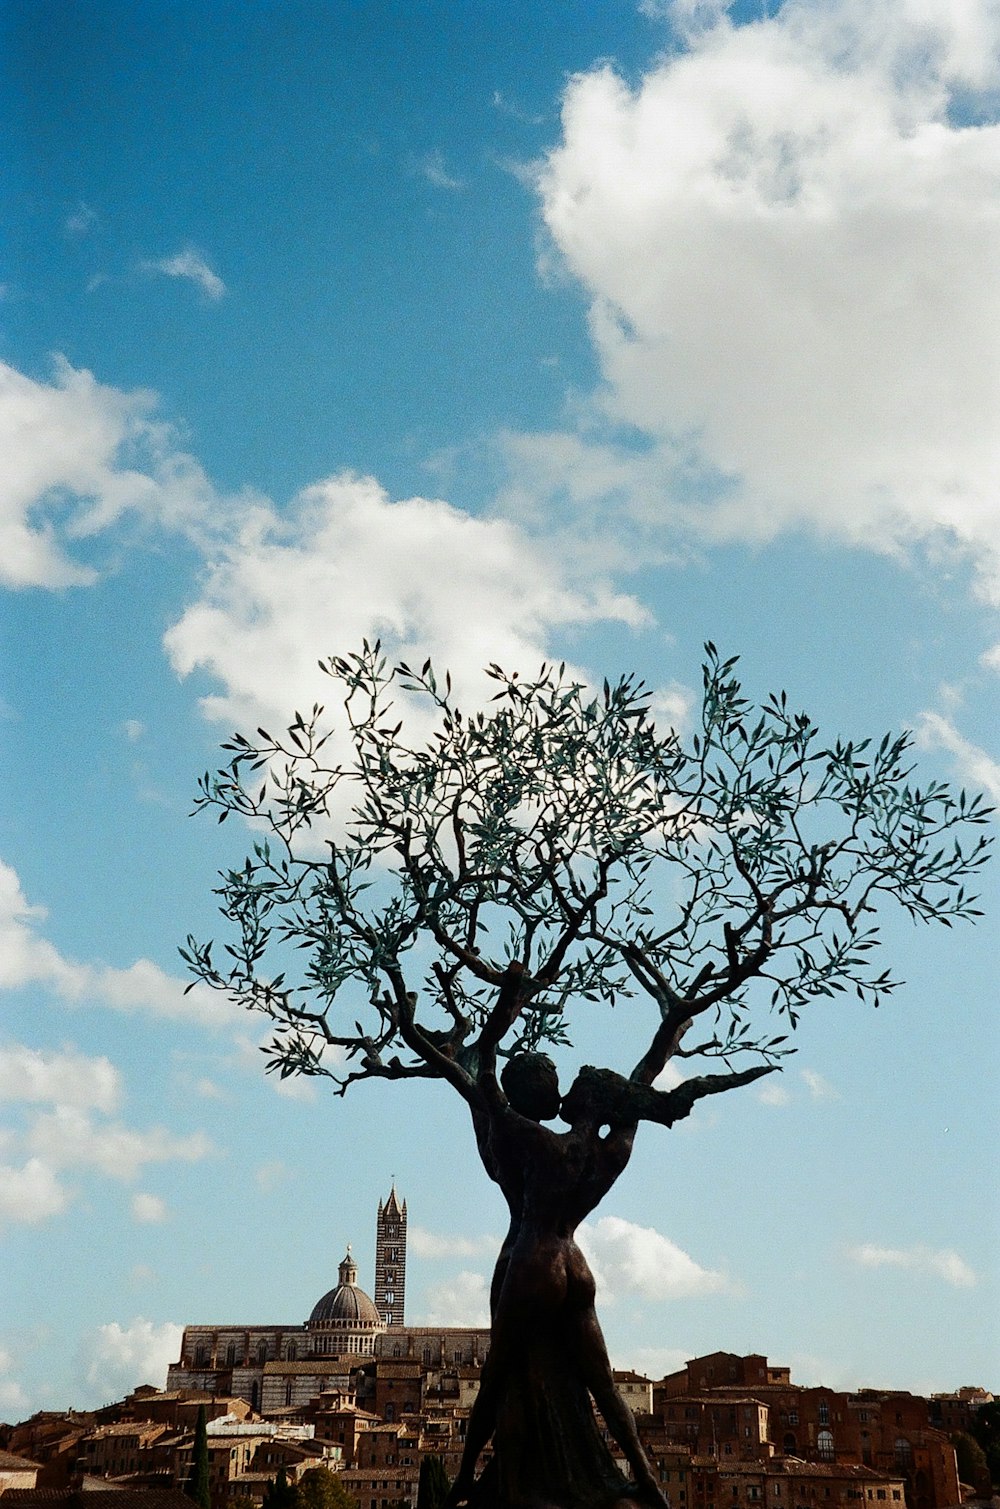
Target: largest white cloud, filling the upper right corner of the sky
788, 232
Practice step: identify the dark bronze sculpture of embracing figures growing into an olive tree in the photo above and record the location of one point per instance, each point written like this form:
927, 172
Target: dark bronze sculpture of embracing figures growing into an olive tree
443, 909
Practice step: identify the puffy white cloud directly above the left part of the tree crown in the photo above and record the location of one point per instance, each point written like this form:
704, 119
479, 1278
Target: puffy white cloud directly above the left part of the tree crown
348, 564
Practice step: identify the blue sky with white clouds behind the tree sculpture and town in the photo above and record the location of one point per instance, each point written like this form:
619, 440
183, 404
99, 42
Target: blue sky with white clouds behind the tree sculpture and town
580, 331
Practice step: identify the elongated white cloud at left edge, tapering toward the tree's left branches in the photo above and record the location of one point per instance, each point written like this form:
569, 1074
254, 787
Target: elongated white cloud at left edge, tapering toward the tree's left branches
28, 959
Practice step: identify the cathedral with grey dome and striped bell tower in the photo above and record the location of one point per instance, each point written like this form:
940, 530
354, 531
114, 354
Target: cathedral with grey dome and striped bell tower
284, 1366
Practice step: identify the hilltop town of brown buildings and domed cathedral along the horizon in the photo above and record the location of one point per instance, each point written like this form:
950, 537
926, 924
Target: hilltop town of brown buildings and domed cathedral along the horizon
360, 1391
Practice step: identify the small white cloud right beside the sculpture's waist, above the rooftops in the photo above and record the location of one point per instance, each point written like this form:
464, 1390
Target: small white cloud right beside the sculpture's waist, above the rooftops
630, 1259
